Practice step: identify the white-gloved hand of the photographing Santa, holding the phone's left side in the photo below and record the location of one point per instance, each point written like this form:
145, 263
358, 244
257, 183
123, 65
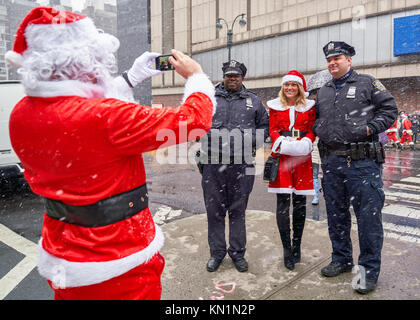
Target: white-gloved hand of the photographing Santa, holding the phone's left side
143, 68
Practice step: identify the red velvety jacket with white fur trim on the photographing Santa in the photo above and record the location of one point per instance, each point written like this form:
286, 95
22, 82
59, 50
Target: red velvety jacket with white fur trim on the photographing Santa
80, 149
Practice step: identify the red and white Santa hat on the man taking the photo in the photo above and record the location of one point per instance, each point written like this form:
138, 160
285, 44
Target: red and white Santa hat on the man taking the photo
57, 27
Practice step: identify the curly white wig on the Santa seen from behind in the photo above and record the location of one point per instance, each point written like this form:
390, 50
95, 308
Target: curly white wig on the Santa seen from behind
76, 51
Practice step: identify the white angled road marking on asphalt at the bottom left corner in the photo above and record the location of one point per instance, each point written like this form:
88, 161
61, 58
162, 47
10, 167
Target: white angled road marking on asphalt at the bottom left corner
24, 267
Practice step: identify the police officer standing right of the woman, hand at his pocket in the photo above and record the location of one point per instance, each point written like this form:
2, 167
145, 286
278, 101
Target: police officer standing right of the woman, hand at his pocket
352, 109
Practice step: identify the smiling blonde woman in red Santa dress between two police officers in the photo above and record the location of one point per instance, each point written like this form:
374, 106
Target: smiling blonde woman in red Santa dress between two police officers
291, 118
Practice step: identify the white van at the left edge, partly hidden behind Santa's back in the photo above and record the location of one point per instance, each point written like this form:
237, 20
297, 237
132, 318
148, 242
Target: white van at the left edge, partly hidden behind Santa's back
10, 168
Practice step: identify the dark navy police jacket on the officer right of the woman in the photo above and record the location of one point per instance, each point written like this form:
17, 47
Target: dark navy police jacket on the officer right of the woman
342, 116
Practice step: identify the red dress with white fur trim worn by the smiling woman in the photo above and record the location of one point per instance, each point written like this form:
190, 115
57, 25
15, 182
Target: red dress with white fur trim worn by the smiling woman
295, 169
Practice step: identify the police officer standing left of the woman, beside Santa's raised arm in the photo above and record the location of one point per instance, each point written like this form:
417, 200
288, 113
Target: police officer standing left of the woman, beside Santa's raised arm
239, 127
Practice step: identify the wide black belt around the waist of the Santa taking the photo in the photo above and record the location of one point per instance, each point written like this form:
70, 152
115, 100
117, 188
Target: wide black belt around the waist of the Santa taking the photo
103, 212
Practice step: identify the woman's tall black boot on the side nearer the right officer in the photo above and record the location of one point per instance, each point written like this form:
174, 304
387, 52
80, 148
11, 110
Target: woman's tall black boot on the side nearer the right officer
299, 216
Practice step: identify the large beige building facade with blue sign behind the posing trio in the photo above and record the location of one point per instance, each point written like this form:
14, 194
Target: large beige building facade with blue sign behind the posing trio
281, 35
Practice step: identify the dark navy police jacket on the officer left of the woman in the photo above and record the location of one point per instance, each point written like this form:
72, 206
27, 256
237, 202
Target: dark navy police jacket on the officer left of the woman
240, 125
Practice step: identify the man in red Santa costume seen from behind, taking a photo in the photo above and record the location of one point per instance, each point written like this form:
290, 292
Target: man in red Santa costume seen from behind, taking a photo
82, 152
